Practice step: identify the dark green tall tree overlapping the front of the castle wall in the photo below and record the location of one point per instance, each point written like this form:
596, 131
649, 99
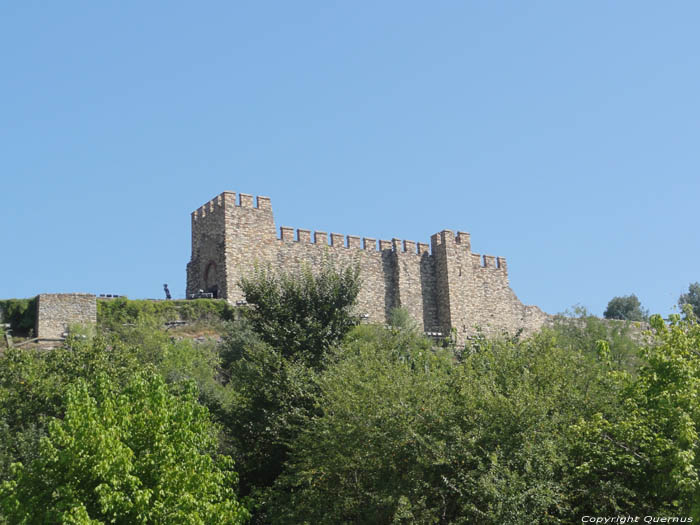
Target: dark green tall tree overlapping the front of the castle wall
271, 358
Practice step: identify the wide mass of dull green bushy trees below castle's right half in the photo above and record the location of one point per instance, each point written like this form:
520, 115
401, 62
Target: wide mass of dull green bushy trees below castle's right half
408, 435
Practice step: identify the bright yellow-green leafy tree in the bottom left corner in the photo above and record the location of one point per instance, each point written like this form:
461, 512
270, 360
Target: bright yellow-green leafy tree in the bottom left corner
137, 455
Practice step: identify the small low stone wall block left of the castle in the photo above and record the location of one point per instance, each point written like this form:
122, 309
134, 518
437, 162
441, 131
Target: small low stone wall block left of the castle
55, 312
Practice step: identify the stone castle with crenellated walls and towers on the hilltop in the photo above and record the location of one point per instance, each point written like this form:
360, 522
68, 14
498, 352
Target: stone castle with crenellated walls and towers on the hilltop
444, 286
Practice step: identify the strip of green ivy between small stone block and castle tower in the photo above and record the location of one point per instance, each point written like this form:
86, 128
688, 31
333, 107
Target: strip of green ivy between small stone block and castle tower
112, 313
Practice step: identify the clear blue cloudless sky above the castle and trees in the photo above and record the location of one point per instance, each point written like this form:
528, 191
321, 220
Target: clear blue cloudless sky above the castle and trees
564, 136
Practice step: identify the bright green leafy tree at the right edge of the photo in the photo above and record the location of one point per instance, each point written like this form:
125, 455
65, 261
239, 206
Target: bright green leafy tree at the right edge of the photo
647, 456
